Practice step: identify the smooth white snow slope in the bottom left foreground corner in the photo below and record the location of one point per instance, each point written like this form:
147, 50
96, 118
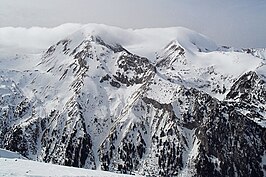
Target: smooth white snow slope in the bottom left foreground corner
12, 165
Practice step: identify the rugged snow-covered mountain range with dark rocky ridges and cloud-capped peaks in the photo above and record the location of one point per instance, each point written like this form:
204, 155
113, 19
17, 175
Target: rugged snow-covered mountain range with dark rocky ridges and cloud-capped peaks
162, 102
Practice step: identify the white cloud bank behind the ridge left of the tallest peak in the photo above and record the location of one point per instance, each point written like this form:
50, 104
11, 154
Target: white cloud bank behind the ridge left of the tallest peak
34, 39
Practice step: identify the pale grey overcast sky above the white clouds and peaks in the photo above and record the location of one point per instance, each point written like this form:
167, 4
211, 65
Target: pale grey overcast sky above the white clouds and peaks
239, 23
